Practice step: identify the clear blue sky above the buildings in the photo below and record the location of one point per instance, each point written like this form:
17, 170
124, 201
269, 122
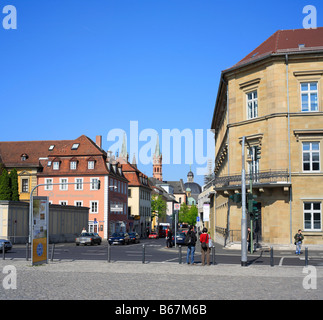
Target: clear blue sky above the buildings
77, 67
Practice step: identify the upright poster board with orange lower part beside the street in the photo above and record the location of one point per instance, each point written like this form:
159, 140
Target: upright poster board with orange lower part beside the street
39, 244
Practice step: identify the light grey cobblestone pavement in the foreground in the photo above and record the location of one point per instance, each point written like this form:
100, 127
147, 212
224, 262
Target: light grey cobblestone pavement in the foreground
101, 280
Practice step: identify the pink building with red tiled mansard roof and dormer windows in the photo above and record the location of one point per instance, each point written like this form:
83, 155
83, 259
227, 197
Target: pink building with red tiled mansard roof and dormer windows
77, 166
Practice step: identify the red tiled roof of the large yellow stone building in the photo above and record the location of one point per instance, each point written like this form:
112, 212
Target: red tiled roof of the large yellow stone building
286, 41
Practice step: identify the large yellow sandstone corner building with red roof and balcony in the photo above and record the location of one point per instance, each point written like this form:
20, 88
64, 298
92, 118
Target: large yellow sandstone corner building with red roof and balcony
274, 98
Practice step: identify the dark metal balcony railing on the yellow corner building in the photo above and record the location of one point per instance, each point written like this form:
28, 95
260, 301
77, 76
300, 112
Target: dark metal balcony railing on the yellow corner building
260, 178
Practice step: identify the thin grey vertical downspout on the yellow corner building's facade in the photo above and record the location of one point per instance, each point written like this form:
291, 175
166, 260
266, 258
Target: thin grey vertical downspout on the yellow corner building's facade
289, 154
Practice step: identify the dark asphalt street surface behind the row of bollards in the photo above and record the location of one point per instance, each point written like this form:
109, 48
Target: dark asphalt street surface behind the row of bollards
155, 251
